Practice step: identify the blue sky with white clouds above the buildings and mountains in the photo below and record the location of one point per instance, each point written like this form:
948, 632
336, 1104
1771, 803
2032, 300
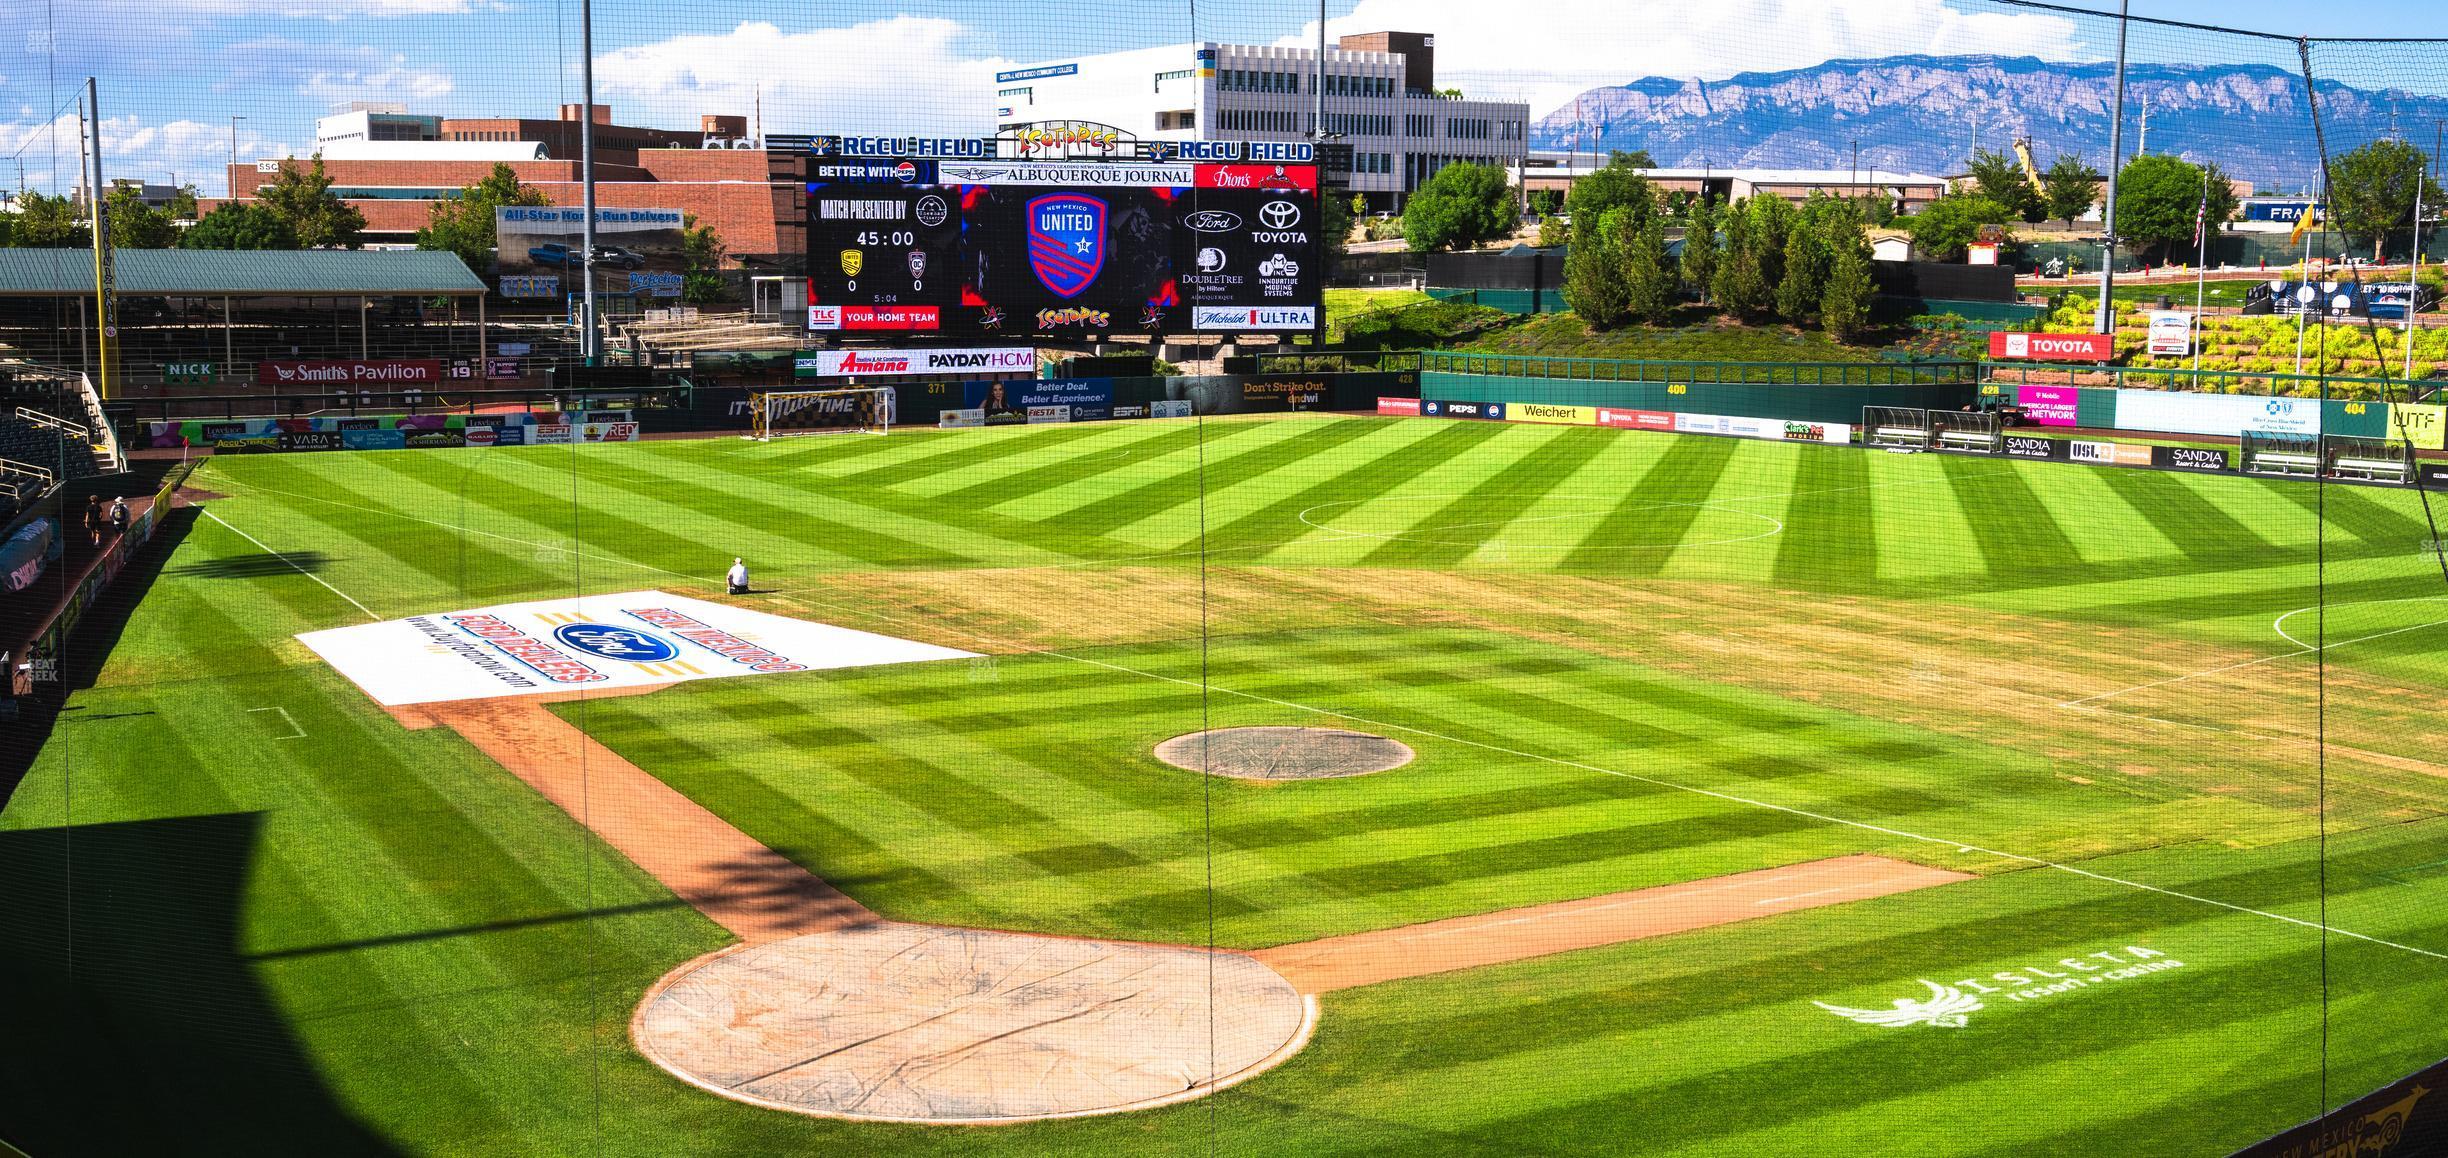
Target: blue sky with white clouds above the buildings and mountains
175, 72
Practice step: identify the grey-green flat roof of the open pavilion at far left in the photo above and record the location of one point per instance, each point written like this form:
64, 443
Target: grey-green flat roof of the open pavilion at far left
239, 273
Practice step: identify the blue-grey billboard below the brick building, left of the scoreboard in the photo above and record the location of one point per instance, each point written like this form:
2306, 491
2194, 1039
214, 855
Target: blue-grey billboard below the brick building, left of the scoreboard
638, 251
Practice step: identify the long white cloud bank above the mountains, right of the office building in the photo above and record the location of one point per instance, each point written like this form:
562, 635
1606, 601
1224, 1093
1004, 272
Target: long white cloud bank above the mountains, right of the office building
1575, 45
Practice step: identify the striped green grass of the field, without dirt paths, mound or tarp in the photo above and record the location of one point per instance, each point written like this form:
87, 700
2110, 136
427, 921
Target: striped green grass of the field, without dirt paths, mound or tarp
1624, 660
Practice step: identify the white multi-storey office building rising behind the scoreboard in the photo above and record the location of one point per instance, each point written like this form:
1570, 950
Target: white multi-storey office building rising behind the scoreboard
1382, 102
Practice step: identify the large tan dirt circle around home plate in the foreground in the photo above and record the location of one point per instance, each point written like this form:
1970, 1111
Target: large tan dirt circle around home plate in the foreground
895, 1022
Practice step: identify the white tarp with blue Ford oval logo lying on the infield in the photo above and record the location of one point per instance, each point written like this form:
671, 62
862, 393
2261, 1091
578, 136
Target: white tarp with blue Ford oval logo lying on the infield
599, 643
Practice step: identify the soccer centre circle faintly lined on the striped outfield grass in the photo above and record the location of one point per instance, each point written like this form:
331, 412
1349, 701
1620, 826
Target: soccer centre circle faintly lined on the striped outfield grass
1397, 518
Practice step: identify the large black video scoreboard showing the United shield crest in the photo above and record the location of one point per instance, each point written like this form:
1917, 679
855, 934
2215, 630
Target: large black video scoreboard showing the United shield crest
1061, 248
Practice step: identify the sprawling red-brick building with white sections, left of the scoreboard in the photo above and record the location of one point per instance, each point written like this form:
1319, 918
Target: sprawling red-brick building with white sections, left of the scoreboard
748, 197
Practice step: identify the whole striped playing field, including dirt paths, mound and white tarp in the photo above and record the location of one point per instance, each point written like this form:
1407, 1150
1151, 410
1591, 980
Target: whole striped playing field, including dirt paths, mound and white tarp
1778, 792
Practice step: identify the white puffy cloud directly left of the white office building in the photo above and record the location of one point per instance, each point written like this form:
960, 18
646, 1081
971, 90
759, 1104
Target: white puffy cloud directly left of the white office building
878, 77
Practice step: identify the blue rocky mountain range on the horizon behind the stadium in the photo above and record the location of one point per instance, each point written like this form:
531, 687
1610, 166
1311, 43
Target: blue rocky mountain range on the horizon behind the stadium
1923, 114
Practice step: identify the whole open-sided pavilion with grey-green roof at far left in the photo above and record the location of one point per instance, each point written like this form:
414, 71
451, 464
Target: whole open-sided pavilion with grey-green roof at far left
207, 317
